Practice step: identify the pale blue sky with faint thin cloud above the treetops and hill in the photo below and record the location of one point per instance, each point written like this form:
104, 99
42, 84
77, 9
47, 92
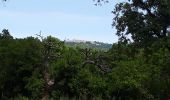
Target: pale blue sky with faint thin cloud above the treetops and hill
64, 19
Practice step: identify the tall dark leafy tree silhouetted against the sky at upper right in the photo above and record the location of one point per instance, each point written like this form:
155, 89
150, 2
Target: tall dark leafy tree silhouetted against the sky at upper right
143, 20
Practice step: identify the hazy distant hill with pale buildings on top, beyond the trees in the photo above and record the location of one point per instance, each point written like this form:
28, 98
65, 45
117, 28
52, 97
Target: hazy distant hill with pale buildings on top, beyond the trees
88, 44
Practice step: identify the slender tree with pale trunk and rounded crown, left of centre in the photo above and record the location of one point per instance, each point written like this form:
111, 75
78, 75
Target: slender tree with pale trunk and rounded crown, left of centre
52, 50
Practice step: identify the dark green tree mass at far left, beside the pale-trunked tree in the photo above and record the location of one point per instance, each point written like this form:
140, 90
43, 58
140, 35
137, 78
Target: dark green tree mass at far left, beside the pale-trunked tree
19, 58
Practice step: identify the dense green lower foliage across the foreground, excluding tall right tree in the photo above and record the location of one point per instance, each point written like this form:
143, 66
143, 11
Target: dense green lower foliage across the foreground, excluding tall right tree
135, 74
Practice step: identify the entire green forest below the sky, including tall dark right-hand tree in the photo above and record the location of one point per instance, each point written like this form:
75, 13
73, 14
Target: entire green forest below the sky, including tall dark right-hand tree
135, 68
